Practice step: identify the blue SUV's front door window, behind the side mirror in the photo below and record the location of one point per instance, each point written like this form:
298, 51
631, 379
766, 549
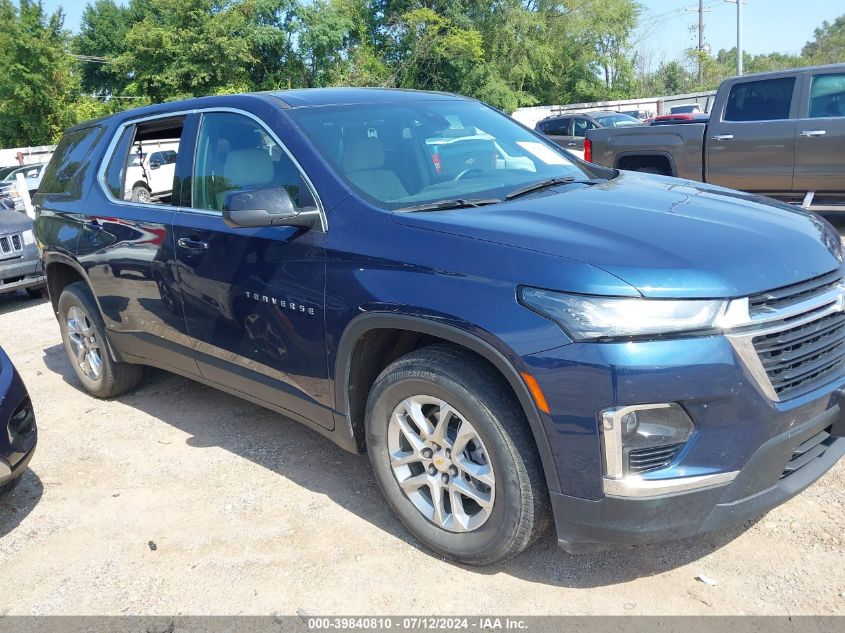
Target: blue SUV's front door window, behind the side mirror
235, 153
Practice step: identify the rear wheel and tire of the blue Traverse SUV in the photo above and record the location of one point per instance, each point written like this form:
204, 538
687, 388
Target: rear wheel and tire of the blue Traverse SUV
84, 337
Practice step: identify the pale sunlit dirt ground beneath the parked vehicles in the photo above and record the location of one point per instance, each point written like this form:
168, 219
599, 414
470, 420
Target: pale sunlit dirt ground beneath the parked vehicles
250, 513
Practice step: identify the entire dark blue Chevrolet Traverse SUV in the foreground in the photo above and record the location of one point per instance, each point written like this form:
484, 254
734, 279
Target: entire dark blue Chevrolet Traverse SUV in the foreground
525, 337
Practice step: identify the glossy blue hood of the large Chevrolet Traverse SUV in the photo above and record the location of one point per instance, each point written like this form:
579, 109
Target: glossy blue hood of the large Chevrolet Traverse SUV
665, 237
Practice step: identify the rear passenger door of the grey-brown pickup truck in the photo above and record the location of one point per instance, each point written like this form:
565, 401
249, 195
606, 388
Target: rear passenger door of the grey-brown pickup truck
750, 143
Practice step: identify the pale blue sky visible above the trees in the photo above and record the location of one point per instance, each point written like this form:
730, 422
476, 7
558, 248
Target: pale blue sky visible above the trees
769, 25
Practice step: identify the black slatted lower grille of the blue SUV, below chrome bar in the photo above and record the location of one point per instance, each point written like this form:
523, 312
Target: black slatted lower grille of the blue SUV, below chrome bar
798, 358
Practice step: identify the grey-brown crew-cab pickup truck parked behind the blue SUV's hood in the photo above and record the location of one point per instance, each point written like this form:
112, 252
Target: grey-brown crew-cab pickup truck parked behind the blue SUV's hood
781, 134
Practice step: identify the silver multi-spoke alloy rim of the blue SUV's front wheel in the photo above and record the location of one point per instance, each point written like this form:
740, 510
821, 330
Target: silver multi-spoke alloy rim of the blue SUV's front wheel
441, 463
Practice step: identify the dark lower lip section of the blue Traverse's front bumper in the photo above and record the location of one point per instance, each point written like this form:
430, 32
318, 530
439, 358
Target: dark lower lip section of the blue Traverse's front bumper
774, 474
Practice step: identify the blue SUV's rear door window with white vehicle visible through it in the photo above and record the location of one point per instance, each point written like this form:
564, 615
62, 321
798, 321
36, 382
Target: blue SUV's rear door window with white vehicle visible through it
132, 174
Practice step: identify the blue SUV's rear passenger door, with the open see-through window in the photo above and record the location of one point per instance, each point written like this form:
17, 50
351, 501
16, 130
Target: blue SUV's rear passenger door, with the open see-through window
127, 249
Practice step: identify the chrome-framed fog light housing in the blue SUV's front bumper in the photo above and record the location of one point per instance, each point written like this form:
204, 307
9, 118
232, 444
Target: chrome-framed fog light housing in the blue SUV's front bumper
640, 438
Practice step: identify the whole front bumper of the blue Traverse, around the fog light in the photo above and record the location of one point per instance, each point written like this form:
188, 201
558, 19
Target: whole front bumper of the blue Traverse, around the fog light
739, 430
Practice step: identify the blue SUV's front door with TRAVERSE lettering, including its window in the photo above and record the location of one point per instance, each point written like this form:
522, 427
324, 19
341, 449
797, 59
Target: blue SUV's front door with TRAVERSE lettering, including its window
253, 297
